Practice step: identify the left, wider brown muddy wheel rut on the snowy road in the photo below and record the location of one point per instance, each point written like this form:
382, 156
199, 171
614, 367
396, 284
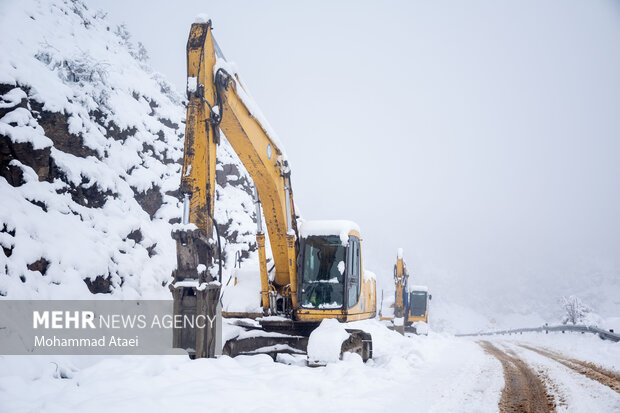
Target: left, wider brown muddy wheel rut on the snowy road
524, 390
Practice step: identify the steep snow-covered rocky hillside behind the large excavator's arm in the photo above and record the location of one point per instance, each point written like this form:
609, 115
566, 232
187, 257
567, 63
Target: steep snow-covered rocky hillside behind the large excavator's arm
91, 141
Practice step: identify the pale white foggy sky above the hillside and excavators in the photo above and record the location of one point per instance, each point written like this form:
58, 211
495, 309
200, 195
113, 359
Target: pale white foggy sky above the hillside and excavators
482, 137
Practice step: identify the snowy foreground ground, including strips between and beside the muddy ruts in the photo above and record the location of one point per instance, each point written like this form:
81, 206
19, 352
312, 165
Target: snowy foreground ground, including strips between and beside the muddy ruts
434, 373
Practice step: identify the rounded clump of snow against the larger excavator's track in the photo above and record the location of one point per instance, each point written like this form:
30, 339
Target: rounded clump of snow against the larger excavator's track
325, 342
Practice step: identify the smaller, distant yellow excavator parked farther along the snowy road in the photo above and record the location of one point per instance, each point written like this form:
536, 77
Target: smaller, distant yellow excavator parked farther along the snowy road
410, 301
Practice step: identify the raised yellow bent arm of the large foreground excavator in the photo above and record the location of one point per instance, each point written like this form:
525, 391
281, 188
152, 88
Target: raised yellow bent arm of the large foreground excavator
217, 100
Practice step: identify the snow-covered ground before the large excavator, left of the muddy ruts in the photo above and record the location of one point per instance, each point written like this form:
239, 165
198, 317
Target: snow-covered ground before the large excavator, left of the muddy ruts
435, 373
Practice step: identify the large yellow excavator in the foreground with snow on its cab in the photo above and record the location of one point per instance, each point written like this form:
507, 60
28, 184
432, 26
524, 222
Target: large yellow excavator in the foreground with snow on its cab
317, 265
